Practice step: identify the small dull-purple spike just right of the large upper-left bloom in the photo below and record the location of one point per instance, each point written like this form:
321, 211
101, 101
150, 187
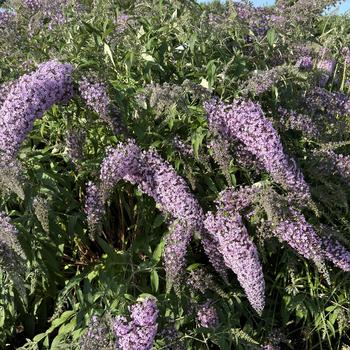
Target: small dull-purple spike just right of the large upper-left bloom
96, 97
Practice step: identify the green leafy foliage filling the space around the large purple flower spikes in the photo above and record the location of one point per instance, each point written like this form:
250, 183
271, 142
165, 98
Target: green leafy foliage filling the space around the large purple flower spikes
159, 64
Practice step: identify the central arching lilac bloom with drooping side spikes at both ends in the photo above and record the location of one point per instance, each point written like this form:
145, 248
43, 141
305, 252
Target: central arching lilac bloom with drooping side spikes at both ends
157, 179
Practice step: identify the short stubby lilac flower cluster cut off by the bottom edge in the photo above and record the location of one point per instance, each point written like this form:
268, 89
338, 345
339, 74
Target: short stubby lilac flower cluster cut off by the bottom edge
140, 331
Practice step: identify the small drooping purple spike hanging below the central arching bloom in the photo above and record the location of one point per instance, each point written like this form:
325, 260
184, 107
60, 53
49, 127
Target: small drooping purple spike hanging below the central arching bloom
176, 243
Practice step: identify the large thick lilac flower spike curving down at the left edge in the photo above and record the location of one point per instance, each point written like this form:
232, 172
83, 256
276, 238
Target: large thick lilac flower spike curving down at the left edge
29, 98
